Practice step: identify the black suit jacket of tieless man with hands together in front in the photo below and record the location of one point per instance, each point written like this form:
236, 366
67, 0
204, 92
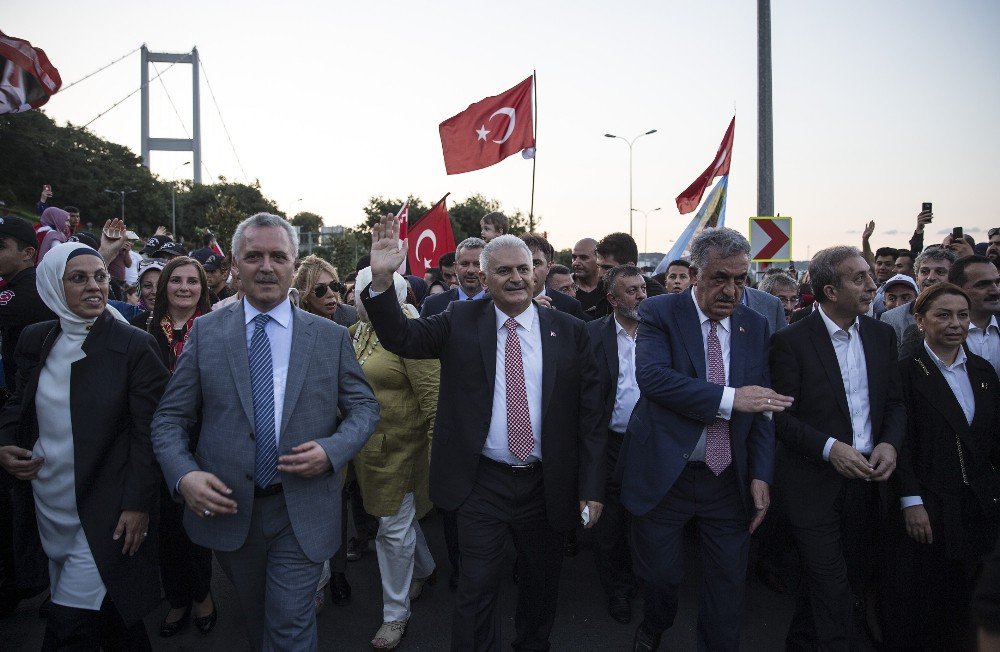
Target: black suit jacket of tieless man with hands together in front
804, 366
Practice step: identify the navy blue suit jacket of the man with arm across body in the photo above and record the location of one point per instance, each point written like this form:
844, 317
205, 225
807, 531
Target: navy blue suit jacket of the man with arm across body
678, 401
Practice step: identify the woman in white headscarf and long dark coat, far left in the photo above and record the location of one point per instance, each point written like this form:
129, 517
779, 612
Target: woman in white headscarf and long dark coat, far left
88, 478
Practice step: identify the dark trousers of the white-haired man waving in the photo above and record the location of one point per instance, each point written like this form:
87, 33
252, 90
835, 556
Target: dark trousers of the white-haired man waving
504, 507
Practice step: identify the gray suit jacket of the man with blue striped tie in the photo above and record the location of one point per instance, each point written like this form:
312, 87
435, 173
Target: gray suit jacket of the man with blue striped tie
211, 383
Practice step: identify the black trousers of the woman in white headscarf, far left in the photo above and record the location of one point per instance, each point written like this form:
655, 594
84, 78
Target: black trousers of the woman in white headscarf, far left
85, 630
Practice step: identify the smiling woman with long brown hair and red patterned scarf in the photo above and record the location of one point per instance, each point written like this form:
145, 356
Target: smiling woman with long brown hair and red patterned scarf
185, 568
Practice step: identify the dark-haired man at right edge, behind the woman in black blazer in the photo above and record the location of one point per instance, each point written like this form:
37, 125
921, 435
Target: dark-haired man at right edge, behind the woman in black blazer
981, 281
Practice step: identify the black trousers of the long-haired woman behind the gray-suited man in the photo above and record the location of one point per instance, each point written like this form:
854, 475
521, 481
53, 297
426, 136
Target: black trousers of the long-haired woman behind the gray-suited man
185, 568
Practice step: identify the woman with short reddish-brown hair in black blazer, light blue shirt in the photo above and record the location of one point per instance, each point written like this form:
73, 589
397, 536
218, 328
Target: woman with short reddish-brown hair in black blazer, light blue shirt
938, 533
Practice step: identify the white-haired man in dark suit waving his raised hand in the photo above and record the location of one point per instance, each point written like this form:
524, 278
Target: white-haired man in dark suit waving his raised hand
517, 452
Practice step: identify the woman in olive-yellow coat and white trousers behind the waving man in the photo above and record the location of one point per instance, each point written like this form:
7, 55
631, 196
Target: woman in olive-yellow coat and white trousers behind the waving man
392, 468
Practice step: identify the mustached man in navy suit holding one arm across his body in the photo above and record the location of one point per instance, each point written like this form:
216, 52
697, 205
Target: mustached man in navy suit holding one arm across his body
698, 444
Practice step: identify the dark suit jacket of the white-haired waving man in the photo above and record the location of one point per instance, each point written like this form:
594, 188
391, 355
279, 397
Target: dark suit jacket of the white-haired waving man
464, 337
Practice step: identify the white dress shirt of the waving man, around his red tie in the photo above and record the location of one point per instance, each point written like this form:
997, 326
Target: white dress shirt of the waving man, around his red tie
530, 336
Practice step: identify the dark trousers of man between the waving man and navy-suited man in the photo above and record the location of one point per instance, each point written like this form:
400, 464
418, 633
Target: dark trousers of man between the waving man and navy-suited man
611, 553
